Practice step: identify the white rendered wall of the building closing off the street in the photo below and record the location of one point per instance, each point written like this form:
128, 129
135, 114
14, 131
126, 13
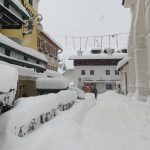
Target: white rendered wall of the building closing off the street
99, 74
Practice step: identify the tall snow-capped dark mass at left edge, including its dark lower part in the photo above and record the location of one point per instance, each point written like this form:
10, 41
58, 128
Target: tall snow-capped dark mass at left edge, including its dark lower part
8, 87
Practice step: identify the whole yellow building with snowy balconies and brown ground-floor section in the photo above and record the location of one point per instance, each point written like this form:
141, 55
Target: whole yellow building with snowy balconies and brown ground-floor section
18, 49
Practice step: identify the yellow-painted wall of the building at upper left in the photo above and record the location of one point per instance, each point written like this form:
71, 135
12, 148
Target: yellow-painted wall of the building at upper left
29, 40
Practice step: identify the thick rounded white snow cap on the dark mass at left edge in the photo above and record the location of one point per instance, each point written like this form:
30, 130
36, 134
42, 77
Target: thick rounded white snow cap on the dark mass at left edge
8, 78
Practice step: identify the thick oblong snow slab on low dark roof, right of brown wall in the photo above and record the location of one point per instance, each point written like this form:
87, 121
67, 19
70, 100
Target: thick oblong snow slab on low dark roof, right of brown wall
52, 83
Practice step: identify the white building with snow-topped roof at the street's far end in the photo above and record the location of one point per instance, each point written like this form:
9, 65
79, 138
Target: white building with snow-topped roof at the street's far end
97, 69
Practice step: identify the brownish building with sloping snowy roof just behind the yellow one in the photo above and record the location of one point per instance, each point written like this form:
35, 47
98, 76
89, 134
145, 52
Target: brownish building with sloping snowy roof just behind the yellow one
50, 48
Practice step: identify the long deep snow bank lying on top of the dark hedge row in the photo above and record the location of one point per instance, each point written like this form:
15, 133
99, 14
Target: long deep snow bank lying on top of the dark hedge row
29, 108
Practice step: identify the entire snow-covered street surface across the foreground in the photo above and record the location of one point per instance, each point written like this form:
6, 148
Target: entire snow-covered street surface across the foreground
113, 122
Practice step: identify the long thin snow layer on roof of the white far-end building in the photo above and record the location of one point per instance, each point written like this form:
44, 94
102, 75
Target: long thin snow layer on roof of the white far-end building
99, 56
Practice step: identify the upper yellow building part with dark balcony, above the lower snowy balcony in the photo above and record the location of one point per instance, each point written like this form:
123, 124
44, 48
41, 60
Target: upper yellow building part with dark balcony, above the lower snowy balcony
17, 18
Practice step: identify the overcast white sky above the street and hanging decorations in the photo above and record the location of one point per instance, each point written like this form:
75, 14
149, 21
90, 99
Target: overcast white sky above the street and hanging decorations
84, 18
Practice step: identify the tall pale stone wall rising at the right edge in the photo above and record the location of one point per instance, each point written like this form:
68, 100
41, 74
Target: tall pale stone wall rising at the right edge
139, 48
